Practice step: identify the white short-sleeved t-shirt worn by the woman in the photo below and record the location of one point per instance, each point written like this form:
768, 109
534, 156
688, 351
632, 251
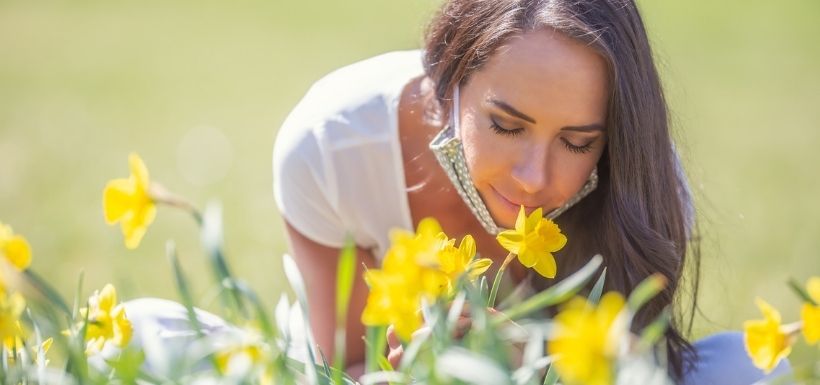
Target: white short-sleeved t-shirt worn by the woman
337, 162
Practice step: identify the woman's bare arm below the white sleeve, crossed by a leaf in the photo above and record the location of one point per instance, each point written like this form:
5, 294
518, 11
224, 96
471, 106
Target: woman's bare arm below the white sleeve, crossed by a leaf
318, 264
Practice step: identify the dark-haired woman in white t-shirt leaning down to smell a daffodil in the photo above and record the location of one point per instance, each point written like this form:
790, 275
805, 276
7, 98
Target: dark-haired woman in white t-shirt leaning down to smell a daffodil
550, 104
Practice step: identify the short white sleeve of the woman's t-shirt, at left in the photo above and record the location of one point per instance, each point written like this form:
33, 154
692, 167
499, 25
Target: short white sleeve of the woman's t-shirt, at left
304, 186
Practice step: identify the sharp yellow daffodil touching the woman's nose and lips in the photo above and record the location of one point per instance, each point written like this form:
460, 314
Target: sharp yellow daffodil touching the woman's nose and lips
533, 240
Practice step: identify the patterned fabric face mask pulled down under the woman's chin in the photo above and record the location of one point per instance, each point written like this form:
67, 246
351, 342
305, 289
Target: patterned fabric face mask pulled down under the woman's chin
450, 154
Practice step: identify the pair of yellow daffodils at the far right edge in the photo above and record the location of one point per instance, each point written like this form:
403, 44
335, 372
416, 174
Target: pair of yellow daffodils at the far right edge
768, 341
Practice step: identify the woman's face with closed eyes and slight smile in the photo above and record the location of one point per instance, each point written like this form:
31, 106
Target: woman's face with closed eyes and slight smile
532, 123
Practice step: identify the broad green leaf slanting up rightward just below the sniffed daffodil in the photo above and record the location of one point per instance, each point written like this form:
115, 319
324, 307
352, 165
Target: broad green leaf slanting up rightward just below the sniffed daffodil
556, 294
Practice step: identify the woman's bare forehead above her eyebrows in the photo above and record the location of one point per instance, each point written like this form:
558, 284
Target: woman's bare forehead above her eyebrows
546, 74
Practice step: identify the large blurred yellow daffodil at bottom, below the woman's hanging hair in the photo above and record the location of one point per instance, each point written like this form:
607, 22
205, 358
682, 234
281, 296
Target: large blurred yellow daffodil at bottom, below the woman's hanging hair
586, 339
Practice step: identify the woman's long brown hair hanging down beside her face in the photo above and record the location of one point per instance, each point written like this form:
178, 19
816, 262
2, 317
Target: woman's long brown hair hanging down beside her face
640, 216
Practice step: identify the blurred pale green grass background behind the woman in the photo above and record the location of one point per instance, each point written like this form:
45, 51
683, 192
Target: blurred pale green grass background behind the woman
198, 88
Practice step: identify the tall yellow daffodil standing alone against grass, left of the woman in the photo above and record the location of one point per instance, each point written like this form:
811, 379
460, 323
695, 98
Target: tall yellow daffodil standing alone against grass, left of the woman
127, 201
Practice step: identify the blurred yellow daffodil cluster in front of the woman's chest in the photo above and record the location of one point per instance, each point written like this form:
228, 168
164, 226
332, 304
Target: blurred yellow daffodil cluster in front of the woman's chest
421, 266
